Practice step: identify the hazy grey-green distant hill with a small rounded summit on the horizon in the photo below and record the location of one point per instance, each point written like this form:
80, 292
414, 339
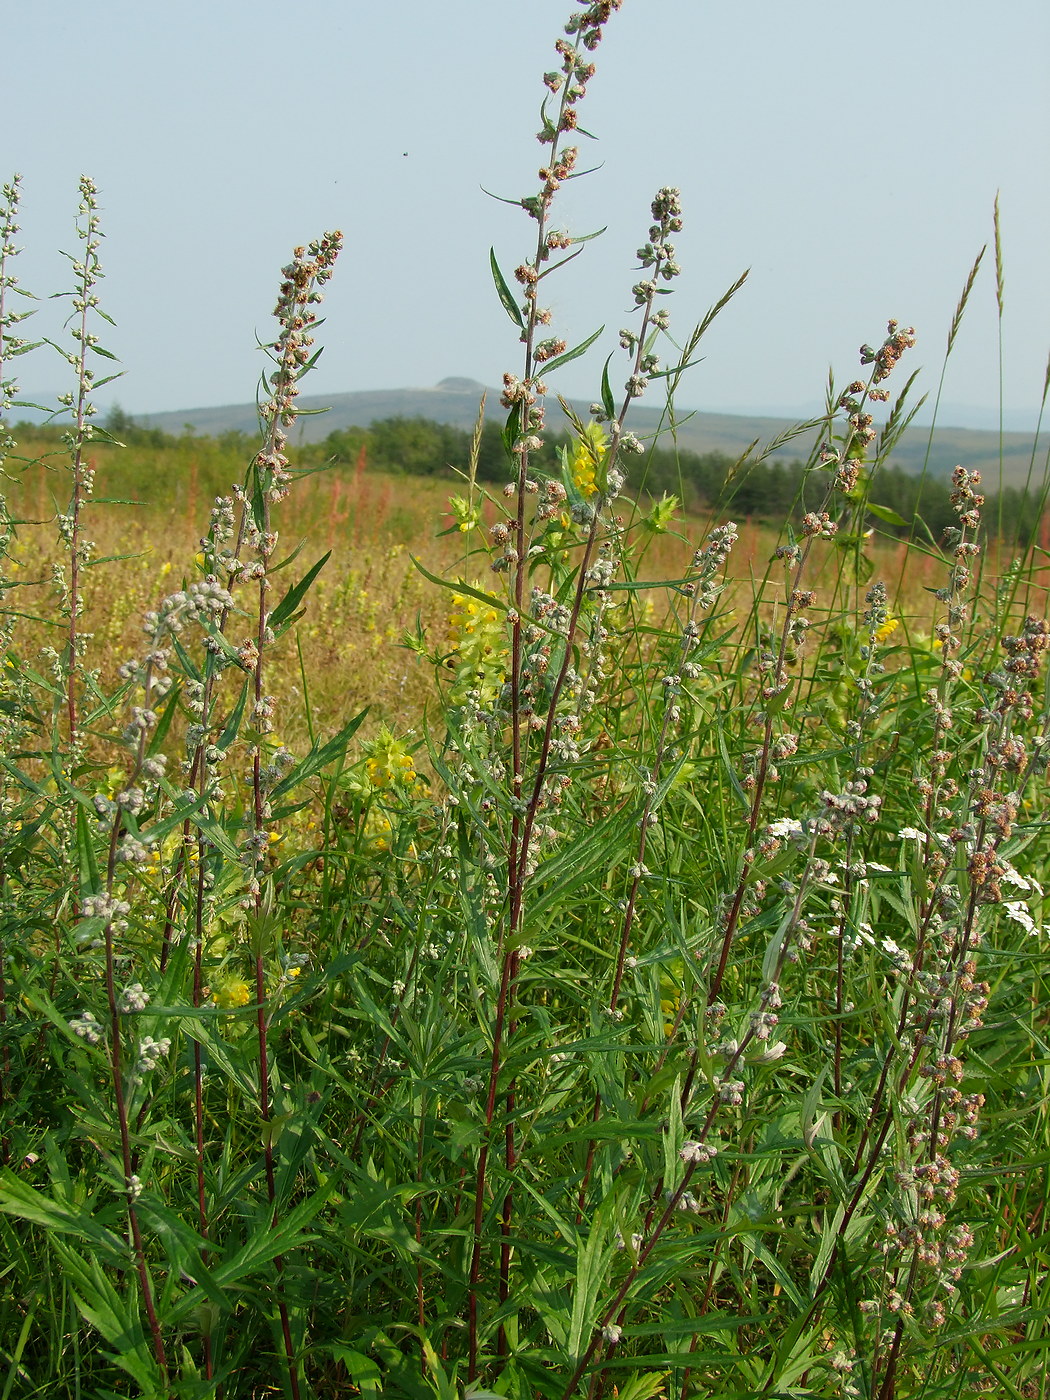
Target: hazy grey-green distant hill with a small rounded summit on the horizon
456, 402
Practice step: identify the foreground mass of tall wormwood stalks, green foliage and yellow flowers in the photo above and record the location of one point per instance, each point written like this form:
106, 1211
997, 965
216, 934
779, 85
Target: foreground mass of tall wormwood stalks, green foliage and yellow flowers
666, 1016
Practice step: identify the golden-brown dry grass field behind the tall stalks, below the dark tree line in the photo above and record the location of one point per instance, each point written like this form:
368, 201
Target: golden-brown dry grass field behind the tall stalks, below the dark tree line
370, 594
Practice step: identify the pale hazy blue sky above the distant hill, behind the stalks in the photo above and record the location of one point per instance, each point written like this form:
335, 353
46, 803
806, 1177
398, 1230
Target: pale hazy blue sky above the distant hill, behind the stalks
850, 159
